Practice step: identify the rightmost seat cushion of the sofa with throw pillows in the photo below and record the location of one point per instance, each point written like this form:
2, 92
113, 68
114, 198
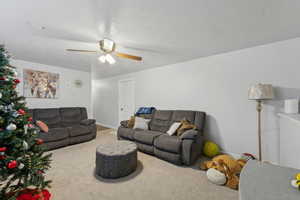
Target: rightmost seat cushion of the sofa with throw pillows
168, 143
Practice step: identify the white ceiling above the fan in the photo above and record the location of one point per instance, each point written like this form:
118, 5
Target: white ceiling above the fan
161, 31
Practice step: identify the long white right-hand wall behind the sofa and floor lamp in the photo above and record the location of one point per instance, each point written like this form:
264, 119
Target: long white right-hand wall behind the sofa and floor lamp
217, 85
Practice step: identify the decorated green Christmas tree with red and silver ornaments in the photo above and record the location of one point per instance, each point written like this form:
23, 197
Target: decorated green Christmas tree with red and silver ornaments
23, 162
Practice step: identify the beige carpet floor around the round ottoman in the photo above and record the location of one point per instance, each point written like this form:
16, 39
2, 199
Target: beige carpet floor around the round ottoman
73, 178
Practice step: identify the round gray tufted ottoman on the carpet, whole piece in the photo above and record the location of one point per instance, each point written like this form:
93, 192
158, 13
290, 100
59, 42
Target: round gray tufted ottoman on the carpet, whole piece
116, 160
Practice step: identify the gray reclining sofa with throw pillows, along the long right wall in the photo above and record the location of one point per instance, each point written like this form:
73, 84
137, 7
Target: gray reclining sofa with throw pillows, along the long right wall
184, 149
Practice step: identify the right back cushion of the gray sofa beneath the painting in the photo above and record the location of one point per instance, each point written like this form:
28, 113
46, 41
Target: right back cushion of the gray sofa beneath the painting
70, 116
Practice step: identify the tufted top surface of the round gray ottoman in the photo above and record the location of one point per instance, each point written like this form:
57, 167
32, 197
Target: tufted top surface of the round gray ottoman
117, 148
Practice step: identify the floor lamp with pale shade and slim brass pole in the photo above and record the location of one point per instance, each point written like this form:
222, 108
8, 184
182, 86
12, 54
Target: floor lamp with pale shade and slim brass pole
260, 92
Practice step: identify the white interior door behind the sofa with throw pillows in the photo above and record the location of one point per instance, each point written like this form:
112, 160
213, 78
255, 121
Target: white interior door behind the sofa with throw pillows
126, 99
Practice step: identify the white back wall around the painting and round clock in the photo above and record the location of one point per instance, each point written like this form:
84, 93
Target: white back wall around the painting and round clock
69, 95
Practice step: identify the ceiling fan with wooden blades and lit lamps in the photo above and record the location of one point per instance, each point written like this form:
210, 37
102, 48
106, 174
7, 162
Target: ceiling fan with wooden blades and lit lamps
107, 47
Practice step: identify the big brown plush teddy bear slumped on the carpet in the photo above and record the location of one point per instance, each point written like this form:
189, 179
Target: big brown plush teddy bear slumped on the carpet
228, 166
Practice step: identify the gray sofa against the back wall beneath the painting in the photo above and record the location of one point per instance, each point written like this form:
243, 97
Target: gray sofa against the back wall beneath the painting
67, 126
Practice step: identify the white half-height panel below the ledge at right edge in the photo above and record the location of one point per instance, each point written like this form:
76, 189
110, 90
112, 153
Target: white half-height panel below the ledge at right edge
289, 138
